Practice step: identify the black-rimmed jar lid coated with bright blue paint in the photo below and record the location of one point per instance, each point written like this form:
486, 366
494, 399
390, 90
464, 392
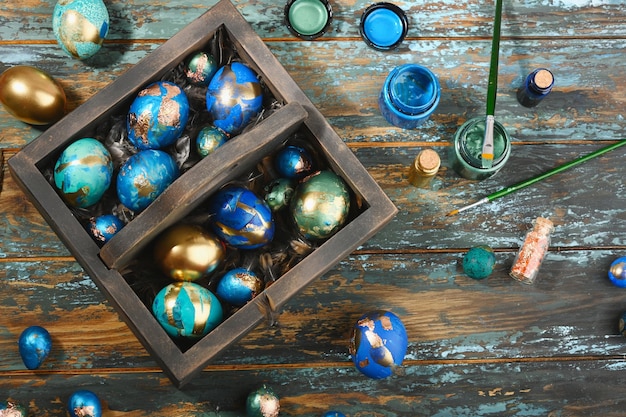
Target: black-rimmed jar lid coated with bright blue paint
383, 26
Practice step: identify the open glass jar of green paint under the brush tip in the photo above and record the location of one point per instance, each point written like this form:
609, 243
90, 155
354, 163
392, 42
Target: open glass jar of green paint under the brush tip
466, 155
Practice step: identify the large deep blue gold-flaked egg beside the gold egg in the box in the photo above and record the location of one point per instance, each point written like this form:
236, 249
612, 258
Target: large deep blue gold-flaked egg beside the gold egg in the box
240, 218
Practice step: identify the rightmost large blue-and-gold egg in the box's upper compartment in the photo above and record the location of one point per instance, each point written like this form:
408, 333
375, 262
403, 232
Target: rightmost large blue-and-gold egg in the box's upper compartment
234, 97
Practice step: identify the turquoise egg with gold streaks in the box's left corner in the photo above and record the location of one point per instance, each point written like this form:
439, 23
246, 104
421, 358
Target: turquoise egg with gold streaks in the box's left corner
83, 172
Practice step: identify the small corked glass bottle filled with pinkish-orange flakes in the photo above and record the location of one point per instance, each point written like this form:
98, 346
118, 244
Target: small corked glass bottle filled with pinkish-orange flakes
533, 251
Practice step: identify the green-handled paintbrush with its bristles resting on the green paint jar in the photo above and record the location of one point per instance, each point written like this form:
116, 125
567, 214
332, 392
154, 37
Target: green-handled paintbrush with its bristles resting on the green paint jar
492, 89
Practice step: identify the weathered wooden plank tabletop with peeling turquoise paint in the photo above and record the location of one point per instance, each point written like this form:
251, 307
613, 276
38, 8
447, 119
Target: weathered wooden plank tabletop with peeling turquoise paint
476, 348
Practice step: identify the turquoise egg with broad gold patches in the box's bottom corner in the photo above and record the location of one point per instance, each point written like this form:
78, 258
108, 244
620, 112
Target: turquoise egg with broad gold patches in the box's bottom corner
187, 310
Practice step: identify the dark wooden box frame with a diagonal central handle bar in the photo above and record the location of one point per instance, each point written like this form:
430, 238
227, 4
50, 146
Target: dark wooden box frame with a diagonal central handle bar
188, 191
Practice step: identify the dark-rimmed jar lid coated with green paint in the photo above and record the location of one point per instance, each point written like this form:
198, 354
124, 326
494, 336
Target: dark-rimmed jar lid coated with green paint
308, 19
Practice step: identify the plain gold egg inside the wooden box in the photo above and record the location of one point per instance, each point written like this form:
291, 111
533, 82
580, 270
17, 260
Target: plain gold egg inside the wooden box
187, 252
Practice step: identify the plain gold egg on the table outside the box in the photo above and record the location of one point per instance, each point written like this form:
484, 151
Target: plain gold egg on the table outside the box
31, 95
